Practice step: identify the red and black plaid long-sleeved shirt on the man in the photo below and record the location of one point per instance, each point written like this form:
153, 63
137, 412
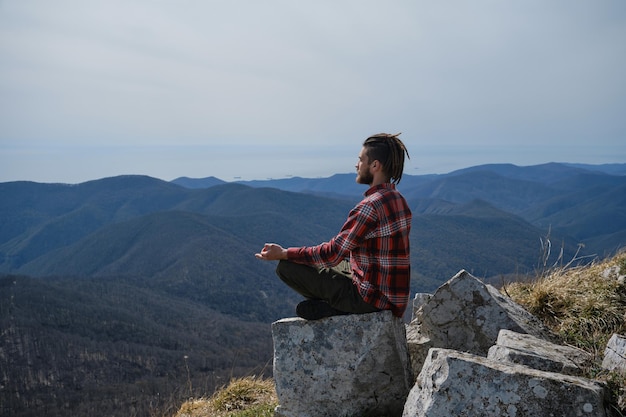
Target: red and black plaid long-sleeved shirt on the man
376, 238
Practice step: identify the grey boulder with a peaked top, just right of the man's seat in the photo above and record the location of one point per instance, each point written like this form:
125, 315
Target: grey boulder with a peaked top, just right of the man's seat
466, 315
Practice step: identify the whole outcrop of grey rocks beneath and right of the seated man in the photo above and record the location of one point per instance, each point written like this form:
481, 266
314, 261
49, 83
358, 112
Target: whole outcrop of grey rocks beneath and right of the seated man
473, 352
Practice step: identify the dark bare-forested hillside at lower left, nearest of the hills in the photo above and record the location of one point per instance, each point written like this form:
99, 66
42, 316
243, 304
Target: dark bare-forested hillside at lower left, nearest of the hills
115, 347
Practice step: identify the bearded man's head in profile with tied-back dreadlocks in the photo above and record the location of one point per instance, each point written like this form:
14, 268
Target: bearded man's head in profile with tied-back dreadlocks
382, 156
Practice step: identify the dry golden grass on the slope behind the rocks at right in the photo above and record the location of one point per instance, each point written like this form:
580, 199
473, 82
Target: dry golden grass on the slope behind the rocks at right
584, 305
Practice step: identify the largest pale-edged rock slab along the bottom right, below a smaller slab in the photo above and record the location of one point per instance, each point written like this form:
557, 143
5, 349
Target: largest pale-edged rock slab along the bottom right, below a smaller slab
453, 383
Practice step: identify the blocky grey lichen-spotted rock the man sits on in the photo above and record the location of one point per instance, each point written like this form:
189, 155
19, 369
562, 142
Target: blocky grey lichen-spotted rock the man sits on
341, 366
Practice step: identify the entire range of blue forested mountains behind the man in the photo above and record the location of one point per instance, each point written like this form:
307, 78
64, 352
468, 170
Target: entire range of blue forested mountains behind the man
128, 287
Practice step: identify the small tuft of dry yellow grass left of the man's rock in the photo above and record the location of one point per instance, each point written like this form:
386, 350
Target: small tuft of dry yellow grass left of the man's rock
242, 397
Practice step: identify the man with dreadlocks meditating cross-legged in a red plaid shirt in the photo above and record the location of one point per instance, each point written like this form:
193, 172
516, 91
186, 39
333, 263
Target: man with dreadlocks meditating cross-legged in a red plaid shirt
375, 239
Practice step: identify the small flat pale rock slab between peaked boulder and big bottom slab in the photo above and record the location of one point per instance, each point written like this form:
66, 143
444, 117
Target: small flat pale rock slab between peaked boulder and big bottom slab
528, 350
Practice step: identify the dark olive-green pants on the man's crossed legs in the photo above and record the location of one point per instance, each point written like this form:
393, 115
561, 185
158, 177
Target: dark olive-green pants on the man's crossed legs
331, 285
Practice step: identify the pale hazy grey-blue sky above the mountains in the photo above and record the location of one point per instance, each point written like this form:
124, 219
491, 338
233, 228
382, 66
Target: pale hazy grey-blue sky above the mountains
260, 89
